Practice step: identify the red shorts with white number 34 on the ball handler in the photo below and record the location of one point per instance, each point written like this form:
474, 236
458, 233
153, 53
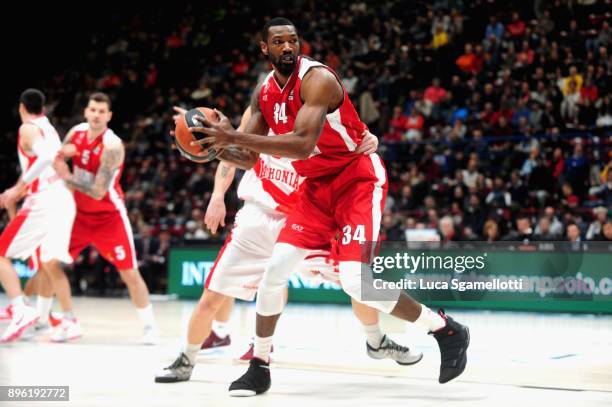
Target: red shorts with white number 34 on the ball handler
351, 202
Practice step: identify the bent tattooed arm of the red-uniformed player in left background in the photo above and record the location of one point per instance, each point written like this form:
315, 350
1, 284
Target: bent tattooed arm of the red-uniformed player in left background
110, 161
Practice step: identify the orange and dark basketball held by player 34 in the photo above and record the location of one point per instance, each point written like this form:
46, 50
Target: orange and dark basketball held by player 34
184, 136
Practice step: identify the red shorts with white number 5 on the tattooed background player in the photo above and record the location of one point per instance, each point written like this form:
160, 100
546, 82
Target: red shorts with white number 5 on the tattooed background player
110, 233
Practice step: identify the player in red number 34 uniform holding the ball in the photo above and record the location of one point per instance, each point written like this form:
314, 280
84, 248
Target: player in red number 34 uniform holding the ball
305, 104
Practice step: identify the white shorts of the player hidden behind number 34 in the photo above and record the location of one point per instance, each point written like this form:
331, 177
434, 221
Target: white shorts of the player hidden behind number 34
241, 262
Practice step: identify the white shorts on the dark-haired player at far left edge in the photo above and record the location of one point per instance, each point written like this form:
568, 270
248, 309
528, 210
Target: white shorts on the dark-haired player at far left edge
45, 221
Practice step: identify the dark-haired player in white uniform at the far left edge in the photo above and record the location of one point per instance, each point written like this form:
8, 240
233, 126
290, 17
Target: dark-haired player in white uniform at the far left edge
45, 218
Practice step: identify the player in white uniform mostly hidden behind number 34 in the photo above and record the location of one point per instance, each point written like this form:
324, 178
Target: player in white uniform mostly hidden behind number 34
269, 190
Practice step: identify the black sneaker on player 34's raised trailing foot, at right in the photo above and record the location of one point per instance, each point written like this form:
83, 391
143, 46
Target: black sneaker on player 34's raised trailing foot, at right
453, 340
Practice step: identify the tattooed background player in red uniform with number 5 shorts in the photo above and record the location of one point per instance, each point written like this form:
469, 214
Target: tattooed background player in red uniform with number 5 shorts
101, 218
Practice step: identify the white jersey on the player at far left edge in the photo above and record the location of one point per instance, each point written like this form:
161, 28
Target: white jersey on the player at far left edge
48, 179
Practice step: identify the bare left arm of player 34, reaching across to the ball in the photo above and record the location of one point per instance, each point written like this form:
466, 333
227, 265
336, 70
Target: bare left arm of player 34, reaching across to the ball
321, 93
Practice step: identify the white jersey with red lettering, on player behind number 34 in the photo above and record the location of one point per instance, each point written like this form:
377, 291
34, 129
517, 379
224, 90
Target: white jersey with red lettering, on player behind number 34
272, 183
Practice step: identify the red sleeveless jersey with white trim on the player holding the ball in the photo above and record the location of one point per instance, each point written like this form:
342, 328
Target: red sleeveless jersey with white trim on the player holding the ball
342, 130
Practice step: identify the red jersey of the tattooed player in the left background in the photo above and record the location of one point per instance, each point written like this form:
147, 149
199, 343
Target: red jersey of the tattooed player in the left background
86, 164
